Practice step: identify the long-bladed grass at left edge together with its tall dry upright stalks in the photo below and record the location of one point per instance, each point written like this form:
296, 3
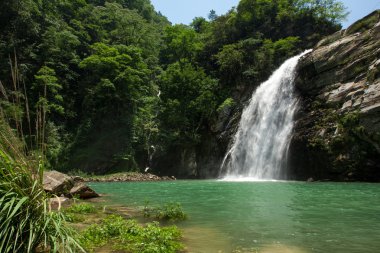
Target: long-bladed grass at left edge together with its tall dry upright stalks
26, 222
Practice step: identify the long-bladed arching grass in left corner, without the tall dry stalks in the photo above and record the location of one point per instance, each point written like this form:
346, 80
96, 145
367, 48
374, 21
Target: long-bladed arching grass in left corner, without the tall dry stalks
26, 224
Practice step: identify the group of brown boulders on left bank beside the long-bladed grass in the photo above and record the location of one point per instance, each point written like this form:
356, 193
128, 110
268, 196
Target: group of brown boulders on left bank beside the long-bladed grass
59, 184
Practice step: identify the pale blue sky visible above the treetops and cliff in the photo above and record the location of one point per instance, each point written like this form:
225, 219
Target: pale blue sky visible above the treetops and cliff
183, 11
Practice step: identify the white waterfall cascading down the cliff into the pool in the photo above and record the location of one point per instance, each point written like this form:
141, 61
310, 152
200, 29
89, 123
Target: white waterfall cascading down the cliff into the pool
261, 143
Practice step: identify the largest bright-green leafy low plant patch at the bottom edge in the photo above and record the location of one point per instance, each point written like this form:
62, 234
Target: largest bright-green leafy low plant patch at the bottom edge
128, 235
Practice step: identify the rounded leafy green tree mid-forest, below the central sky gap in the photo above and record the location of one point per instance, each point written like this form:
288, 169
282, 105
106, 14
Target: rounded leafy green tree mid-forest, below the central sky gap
187, 99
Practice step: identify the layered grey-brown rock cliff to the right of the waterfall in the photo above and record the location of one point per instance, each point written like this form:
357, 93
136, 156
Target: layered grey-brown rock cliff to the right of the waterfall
337, 134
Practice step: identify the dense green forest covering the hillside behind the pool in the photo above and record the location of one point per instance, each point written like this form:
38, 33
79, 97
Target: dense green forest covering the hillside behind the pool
106, 85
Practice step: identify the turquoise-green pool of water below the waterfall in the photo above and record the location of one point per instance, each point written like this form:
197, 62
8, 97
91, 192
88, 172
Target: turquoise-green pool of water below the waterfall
265, 216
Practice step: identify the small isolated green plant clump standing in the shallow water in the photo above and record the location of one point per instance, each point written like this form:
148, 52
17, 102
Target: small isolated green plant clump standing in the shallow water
169, 211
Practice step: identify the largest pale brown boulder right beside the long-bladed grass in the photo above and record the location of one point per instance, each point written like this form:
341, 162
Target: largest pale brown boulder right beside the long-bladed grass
57, 183
